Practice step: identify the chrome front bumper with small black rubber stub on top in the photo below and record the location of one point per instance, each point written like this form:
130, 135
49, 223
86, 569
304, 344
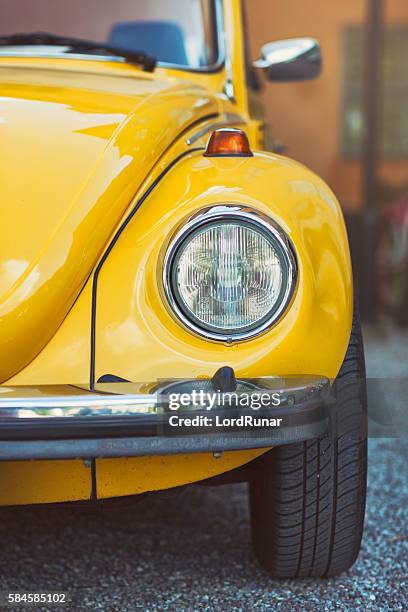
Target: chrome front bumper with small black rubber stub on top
123, 419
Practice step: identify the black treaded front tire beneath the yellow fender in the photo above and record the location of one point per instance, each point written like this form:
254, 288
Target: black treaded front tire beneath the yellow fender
308, 499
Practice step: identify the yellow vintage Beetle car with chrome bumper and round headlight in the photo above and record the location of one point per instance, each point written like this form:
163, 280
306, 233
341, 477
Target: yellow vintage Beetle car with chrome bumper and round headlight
176, 302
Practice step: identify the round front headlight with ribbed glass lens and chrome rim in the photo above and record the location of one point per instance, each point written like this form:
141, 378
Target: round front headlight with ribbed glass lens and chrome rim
229, 274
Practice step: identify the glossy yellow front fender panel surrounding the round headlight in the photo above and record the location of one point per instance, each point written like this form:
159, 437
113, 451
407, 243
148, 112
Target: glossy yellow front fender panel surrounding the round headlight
137, 337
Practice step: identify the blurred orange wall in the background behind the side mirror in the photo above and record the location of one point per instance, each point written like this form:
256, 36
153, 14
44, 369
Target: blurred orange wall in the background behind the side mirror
307, 116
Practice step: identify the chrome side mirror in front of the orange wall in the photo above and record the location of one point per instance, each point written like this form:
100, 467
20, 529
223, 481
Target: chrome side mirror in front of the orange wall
295, 59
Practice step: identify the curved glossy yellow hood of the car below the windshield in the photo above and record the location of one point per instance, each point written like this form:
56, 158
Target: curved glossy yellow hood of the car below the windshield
77, 142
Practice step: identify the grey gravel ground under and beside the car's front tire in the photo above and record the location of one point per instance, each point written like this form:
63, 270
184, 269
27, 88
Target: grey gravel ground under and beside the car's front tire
190, 549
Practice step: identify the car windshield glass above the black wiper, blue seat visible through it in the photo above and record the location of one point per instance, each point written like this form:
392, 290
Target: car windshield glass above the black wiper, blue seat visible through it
177, 32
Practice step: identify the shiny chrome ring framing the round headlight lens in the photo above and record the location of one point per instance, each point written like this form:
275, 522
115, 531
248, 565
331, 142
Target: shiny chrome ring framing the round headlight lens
254, 221
